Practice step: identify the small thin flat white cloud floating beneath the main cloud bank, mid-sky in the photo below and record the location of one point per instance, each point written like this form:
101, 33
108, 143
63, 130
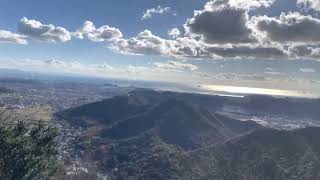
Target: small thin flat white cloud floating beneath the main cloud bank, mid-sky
176, 66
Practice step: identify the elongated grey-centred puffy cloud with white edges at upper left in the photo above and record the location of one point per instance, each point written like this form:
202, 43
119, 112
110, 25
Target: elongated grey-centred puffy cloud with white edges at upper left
46, 33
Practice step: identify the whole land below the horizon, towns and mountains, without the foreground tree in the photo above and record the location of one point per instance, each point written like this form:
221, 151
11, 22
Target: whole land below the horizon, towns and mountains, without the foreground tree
113, 132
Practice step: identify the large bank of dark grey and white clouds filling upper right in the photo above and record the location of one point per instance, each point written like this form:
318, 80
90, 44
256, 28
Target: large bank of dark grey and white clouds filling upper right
224, 29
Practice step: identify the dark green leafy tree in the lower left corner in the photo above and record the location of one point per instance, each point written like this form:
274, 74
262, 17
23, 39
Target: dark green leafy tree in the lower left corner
28, 152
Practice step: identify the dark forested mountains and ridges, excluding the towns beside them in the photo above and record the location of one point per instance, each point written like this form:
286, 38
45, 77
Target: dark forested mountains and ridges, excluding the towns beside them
165, 135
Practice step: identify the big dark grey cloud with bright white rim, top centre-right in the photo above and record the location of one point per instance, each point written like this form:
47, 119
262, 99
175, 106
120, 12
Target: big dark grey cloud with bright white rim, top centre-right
220, 23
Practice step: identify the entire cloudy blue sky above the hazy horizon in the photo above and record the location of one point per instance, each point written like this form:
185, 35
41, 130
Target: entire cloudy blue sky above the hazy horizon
272, 44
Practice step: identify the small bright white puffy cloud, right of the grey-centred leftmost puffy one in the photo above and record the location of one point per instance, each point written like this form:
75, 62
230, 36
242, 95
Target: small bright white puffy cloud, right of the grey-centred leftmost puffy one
103, 33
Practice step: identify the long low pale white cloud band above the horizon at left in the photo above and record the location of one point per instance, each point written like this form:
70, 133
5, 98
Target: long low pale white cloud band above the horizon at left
157, 71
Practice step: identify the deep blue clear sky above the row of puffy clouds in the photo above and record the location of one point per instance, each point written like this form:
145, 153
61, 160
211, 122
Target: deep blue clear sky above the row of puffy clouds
124, 14
